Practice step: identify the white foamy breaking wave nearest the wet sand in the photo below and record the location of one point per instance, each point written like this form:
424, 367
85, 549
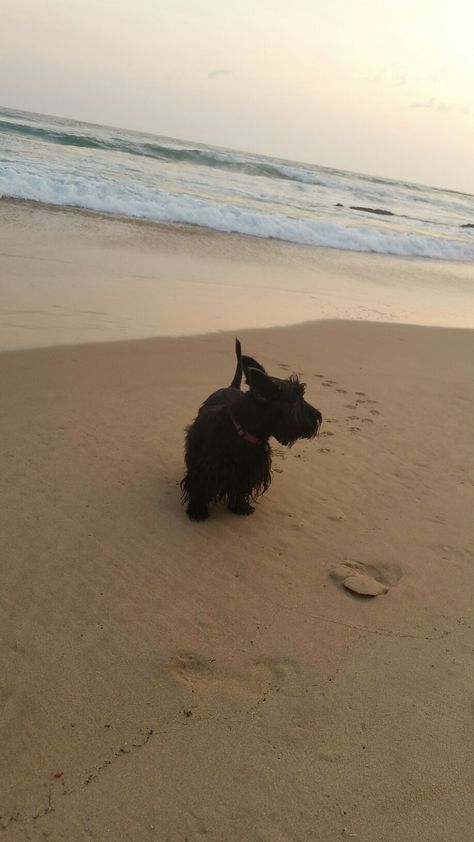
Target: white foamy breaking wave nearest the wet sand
134, 200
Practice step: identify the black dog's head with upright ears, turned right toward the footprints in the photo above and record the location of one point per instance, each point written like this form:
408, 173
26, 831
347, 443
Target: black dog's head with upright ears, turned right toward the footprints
288, 416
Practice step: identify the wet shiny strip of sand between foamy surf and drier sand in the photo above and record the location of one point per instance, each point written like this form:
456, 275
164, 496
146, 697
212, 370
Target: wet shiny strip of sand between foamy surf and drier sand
74, 277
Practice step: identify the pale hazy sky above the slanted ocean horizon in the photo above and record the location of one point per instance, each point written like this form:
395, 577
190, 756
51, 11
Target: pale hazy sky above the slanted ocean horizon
384, 87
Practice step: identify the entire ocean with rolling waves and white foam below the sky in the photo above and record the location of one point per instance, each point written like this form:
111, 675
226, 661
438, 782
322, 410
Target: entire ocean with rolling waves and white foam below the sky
63, 162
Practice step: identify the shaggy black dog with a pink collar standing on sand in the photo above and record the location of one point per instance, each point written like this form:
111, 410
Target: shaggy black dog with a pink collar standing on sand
227, 453
